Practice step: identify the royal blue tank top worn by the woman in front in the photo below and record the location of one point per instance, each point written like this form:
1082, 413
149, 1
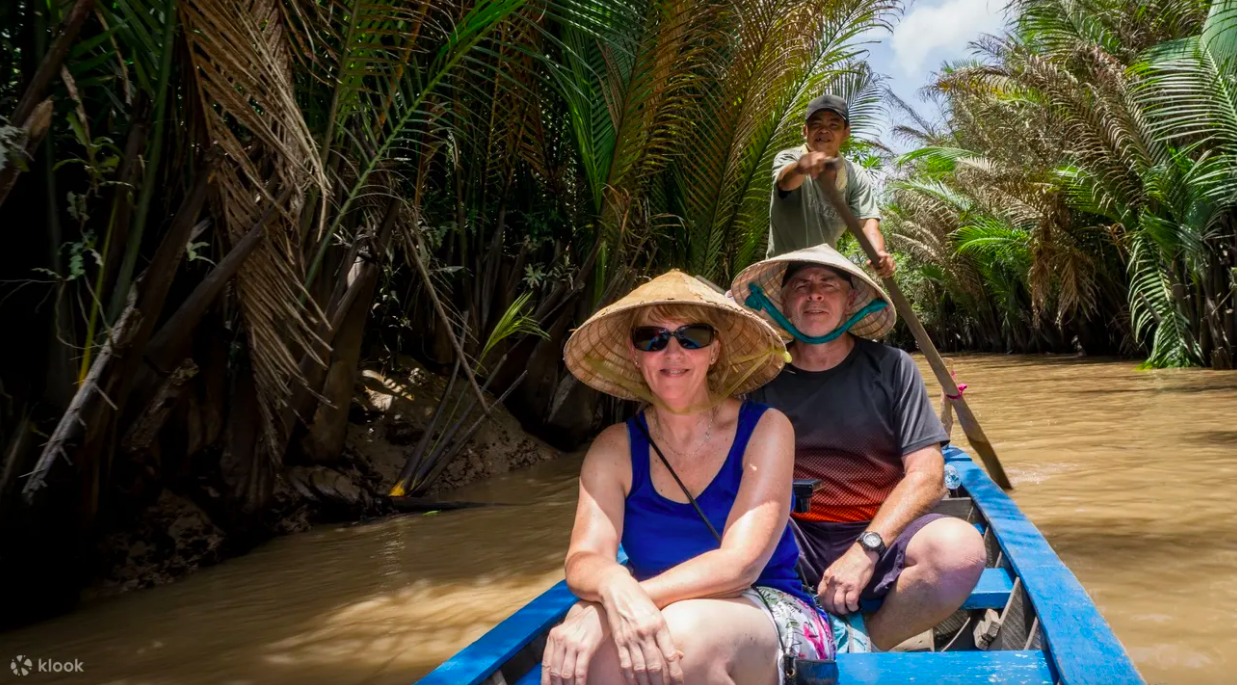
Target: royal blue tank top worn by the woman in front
661, 534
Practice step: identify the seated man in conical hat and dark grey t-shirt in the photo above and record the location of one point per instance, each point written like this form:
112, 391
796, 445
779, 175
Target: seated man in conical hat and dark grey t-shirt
865, 428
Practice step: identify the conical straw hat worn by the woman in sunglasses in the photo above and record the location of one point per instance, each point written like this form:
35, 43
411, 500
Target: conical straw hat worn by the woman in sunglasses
599, 357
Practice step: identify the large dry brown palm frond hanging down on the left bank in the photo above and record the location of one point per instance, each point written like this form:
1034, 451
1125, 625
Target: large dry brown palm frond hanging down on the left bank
242, 72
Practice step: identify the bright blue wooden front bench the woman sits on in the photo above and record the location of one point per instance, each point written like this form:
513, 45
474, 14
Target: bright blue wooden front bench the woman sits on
940, 668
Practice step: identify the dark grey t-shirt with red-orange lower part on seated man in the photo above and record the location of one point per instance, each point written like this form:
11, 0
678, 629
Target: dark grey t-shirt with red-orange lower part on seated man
853, 426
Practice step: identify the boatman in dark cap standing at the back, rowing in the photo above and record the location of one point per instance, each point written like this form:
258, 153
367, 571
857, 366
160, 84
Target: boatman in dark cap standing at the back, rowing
800, 212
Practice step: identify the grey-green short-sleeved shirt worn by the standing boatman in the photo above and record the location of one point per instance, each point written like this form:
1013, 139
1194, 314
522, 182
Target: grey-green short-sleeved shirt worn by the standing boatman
803, 218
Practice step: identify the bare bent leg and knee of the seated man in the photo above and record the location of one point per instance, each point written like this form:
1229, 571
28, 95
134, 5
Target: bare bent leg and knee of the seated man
943, 564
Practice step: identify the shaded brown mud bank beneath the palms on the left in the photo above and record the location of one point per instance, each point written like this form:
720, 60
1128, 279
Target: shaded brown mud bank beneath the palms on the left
389, 415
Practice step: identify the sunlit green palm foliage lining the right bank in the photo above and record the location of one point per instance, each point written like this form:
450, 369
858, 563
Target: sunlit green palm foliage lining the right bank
1083, 190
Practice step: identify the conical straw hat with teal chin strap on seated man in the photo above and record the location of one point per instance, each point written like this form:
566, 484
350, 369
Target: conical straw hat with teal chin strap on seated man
769, 276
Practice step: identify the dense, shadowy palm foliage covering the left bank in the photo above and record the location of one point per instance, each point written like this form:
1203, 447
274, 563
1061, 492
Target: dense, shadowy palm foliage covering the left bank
217, 210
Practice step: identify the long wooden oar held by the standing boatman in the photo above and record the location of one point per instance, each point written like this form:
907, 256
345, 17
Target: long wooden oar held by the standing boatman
970, 425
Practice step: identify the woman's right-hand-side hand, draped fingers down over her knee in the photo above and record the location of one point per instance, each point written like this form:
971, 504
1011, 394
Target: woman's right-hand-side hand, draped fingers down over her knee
648, 656
